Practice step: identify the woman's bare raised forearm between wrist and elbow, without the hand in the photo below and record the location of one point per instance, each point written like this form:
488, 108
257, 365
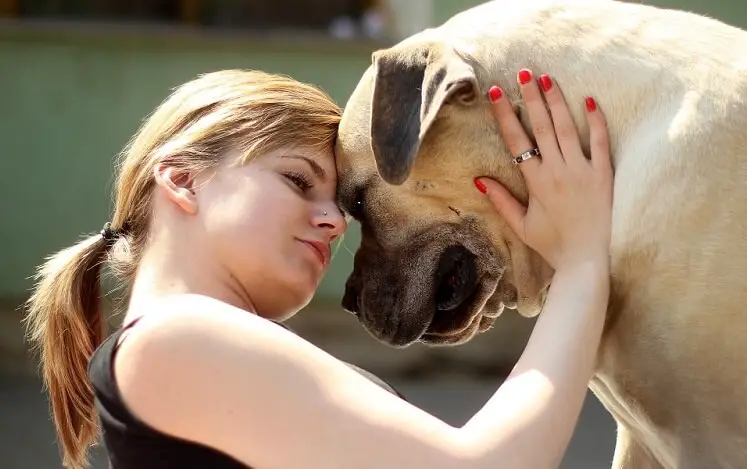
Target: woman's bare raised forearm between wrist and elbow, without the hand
530, 420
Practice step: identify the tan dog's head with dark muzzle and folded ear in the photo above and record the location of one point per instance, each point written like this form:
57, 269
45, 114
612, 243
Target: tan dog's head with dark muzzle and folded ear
436, 262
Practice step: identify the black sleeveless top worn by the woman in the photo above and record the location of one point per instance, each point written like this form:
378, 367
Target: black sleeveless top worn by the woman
132, 444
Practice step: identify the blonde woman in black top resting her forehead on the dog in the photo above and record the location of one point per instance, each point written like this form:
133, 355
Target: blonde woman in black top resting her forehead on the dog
225, 211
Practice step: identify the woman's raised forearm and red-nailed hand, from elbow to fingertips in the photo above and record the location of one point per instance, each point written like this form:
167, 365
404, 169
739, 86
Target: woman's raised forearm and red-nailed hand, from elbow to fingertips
568, 221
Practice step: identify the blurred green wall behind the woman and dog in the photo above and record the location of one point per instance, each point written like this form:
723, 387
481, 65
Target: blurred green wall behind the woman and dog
72, 98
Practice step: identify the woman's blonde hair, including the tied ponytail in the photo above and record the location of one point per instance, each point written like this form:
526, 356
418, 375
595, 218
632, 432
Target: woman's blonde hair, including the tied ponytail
251, 112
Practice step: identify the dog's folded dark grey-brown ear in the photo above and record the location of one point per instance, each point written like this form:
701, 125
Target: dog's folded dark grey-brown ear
410, 88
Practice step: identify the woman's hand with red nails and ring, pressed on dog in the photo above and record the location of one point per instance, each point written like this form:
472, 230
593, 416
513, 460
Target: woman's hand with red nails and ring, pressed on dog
568, 217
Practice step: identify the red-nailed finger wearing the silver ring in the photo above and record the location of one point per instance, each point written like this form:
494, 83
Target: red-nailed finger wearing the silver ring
511, 130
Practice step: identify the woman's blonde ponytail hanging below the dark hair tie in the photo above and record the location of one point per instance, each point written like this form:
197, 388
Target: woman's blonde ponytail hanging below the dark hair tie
65, 325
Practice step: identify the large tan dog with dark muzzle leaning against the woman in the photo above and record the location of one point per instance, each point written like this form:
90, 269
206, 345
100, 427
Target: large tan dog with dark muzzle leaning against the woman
436, 264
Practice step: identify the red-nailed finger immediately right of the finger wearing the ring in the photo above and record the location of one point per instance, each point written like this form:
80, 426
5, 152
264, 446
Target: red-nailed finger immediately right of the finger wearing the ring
539, 118
